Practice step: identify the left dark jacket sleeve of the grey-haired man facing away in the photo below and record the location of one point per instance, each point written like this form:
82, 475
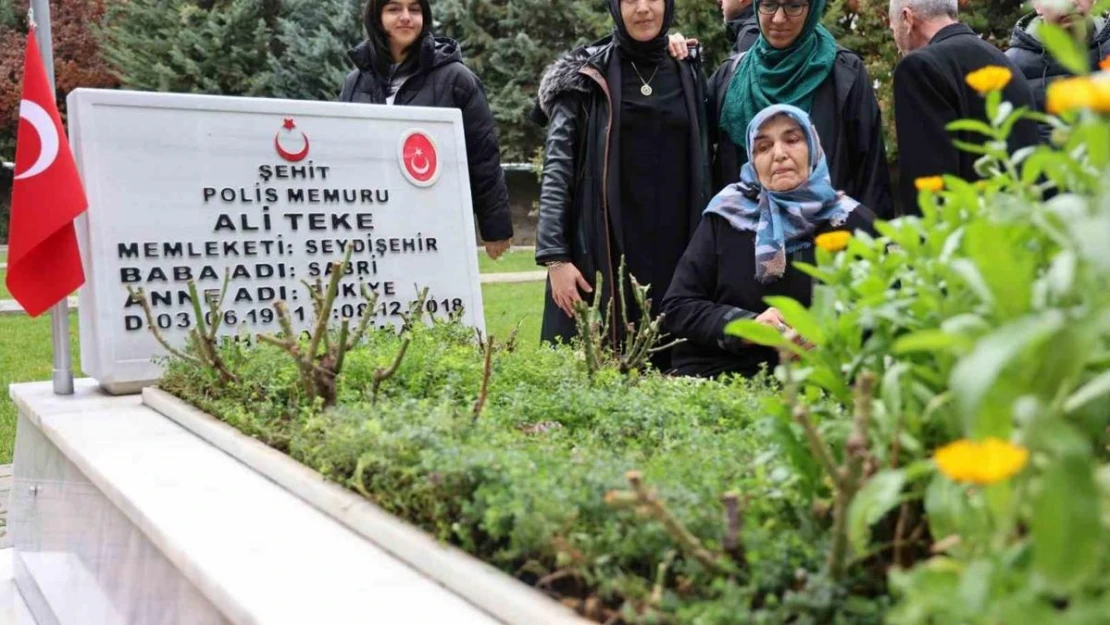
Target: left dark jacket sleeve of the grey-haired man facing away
923, 112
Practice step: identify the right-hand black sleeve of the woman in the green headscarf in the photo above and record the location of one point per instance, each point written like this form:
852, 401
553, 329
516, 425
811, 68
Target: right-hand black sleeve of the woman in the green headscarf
872, 178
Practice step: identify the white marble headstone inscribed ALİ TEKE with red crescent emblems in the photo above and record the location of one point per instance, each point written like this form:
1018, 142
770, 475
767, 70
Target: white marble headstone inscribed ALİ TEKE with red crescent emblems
190, 186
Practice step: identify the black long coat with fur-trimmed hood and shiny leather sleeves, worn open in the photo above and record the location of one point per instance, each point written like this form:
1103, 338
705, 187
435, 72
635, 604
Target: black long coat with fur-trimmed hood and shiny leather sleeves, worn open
579, 221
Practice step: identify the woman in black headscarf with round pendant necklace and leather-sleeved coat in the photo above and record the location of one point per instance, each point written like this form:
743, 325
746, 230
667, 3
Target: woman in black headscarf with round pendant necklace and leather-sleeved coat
625, 170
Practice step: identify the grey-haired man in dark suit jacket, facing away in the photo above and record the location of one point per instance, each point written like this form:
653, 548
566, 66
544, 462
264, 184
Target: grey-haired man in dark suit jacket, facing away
932, 92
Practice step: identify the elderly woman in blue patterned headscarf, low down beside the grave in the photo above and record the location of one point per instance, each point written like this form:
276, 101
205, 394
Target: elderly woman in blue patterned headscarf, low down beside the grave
745, 248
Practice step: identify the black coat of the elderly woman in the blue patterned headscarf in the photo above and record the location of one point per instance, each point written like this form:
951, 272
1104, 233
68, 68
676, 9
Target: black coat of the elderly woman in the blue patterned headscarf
715, 285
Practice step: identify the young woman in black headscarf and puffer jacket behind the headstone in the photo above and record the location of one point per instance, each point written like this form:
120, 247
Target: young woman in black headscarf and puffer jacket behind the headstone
402, 64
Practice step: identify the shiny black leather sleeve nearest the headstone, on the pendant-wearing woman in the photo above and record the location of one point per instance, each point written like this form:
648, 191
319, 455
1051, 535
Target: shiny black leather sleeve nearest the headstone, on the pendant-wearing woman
558, 183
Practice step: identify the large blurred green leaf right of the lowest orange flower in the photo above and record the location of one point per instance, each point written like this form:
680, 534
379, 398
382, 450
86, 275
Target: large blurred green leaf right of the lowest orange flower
1066, 526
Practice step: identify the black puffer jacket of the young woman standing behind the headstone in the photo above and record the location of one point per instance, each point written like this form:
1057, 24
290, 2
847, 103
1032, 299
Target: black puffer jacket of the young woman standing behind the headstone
442, 80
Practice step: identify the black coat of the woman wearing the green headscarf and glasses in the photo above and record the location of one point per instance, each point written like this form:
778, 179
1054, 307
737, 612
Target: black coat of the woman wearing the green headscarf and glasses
849, 122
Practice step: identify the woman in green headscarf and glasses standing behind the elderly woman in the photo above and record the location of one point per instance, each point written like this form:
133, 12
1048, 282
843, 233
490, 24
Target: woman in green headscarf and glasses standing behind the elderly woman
796, 62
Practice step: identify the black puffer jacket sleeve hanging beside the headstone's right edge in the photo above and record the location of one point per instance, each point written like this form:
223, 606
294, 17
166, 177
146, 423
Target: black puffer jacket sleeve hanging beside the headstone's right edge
483, 155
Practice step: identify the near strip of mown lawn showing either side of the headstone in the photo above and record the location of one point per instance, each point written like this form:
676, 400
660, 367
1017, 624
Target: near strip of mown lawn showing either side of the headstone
25, 344
